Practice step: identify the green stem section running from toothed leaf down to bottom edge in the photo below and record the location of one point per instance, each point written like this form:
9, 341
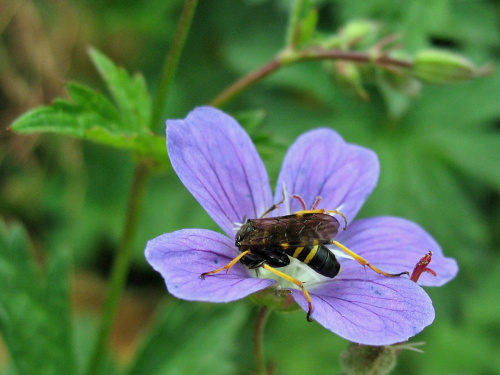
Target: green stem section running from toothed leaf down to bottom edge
120, 267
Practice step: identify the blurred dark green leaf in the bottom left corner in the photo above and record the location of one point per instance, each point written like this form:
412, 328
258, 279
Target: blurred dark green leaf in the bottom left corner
34, 310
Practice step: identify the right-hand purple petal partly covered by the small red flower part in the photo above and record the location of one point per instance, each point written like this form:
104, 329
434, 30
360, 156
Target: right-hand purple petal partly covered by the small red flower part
396, 245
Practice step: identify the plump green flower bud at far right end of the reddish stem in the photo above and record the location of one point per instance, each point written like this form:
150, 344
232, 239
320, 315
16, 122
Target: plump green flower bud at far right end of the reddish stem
442, 67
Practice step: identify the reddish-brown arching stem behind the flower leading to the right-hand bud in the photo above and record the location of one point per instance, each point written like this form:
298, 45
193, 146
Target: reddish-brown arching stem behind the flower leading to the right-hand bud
289, 57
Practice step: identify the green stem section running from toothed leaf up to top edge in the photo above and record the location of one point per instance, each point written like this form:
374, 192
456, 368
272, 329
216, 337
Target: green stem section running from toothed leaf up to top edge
172, 60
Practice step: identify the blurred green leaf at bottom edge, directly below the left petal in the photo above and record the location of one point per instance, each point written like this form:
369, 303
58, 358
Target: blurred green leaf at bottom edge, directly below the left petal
192, 338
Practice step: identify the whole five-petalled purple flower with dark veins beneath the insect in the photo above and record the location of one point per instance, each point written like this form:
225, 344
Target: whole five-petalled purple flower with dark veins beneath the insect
219, 165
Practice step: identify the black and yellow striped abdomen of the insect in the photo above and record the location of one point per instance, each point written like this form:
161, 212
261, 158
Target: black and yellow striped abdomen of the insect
318, 257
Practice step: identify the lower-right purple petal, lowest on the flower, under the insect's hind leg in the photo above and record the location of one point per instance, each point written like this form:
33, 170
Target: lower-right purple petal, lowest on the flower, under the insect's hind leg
370, 309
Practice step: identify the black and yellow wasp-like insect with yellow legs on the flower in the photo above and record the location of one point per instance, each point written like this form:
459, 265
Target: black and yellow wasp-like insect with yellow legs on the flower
269, 242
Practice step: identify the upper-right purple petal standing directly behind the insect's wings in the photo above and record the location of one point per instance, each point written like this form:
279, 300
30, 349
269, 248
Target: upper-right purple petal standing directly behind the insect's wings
320, 163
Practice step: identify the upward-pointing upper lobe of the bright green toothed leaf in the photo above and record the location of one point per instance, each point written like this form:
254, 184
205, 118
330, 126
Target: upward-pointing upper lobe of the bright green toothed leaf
129, 93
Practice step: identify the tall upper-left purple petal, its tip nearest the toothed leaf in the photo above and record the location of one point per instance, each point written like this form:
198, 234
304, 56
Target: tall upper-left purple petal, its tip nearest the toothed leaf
218, 163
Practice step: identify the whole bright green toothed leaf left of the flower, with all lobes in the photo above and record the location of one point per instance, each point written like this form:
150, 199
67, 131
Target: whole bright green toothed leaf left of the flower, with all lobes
90, 115
